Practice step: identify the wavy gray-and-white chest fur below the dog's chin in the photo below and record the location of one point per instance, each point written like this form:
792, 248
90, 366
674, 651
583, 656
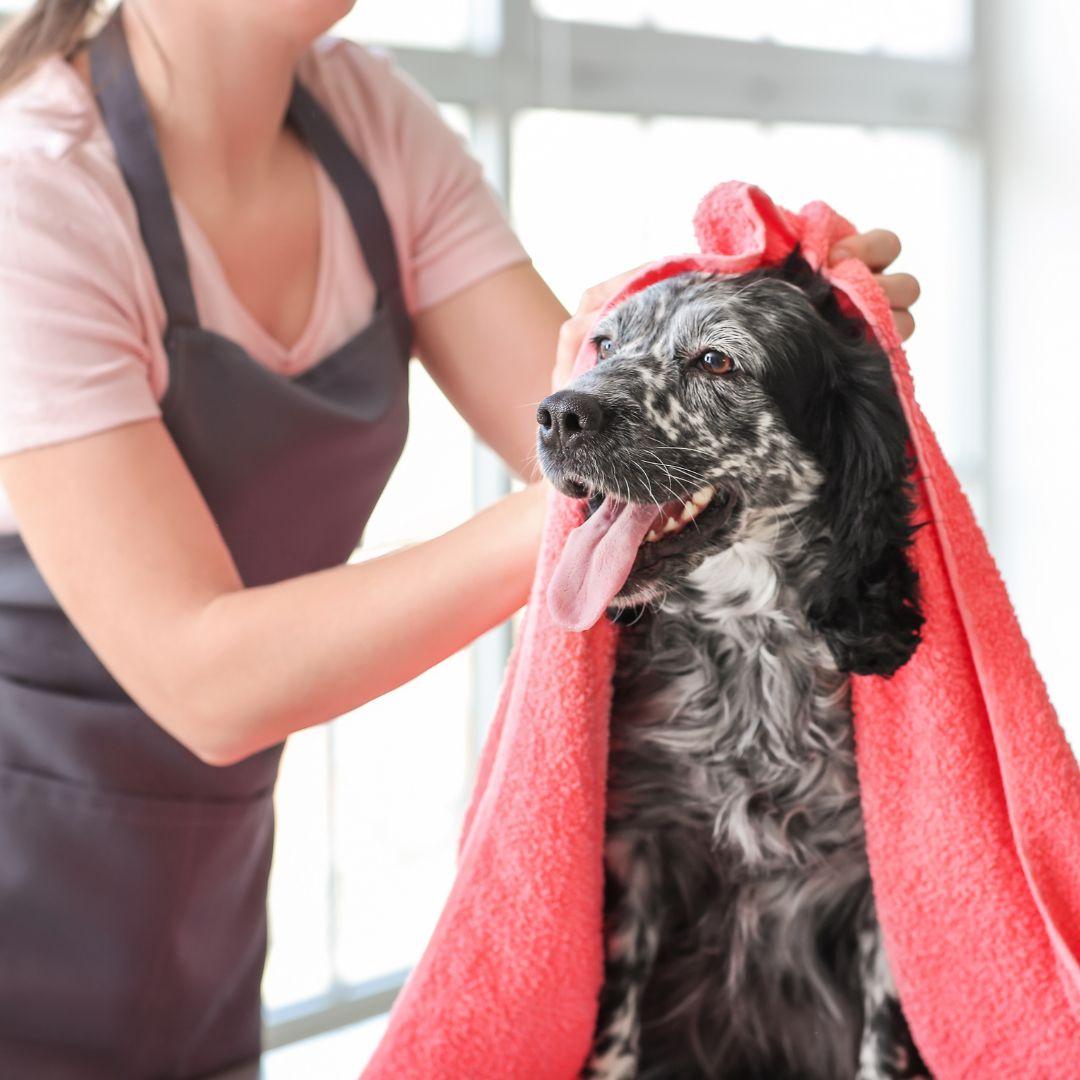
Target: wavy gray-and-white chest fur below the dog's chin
734, 788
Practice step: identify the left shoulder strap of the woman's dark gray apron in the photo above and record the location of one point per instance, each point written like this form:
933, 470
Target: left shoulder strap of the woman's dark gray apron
128, 121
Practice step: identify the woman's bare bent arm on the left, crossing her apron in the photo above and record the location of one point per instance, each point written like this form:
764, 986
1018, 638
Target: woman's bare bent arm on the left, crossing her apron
123, 536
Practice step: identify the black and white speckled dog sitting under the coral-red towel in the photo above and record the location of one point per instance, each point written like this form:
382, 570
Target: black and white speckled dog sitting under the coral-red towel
762, 427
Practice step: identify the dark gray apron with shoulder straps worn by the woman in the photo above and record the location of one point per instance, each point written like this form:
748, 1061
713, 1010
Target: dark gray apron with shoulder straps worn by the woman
133, 877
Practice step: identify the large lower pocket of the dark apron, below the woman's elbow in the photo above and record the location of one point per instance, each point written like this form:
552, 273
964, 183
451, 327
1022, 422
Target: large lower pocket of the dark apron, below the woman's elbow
132, 929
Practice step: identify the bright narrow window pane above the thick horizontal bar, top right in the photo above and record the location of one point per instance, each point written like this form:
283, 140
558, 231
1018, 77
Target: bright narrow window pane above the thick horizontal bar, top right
929, 29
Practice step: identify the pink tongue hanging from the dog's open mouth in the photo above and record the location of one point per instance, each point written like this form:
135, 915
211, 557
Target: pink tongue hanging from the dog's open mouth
597, 562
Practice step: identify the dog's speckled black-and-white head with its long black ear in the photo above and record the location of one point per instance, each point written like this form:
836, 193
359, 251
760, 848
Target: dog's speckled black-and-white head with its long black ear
723, 403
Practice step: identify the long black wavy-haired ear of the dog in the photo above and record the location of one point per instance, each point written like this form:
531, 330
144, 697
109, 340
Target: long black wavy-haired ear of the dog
867, 601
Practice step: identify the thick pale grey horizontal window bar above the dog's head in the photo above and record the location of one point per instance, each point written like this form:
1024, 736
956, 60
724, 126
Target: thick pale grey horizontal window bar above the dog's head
658, 73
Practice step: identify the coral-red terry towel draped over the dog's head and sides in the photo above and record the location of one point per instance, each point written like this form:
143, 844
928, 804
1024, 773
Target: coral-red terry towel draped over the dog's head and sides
970, 792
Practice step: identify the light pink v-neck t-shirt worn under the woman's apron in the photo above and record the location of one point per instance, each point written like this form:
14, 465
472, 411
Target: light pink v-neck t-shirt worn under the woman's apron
82, 318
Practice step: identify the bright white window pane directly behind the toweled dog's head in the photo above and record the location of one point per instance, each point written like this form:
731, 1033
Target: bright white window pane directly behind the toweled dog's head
634, 185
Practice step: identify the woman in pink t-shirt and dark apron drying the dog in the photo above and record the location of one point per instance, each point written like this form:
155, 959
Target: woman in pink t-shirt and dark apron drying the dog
222, 245
